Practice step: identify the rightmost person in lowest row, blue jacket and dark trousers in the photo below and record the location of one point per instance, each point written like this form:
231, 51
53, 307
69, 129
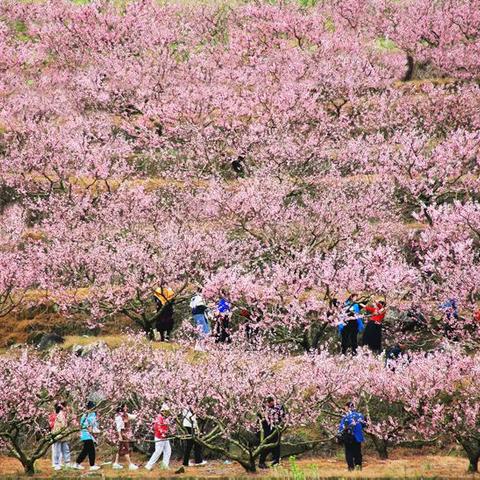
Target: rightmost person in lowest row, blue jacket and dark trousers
351, 433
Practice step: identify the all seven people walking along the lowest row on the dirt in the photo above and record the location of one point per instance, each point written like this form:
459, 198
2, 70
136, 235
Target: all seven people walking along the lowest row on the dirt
350, 434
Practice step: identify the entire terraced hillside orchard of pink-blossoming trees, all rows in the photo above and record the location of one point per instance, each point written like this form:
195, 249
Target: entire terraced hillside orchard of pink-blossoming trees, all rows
279, 155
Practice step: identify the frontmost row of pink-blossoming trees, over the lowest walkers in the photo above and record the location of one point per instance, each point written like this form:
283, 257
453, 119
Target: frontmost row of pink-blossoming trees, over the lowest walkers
427, 397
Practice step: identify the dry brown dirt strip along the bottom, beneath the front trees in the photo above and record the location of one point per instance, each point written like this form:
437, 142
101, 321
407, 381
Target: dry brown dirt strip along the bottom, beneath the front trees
399, 466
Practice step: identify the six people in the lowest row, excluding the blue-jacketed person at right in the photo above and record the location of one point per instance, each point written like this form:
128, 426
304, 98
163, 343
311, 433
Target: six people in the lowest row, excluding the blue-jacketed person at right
62, 419
